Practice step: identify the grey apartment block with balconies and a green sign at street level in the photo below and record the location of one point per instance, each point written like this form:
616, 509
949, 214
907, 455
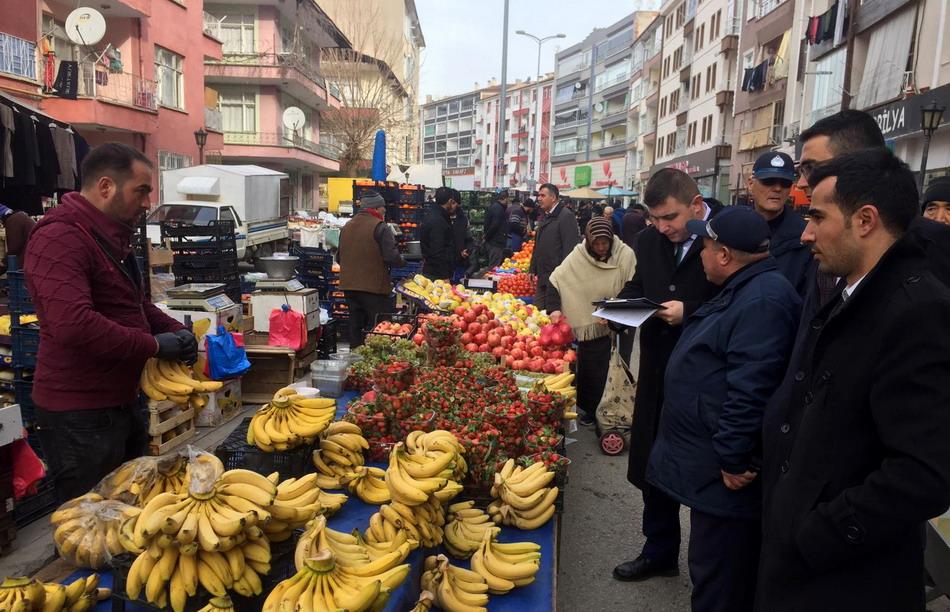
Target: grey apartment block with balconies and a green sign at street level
591, 104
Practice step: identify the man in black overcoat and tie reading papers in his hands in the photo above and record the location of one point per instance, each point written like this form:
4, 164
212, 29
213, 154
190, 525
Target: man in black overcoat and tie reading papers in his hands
669, 271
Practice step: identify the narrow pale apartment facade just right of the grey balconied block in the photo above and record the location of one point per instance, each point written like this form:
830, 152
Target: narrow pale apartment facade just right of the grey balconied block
644, 106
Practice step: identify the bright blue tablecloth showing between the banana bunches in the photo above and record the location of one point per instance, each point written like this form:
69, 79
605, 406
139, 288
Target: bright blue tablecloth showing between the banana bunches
355, 514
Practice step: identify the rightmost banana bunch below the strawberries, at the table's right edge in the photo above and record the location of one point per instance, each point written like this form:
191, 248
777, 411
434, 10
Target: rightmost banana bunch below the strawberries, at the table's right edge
522, 496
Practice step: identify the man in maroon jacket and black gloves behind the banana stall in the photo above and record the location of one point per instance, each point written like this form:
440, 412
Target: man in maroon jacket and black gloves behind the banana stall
97, 326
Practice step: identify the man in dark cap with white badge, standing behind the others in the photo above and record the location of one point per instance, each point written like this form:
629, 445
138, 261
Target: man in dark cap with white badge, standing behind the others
772, 176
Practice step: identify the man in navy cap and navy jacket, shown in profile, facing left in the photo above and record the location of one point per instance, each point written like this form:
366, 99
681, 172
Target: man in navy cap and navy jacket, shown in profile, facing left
732, 353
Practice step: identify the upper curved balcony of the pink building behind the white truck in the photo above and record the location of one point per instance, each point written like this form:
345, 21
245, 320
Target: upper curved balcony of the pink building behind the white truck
291, 72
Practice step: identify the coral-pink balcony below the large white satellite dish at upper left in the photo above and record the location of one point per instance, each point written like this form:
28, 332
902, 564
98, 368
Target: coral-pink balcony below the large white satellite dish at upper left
106, 100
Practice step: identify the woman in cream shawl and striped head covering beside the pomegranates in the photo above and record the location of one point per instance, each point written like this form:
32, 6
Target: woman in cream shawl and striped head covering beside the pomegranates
597, 268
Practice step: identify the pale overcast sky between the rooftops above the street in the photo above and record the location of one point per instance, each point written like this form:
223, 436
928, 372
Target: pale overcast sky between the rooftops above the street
463, 37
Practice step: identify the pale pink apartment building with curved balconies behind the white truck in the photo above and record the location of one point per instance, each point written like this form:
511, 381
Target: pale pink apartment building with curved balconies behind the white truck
271, 62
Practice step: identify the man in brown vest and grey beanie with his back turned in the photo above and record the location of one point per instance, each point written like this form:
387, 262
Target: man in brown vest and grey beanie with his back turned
367, 252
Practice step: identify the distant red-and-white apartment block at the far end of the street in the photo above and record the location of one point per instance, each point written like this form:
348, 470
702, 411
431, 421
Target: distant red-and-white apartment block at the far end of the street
527, 135
